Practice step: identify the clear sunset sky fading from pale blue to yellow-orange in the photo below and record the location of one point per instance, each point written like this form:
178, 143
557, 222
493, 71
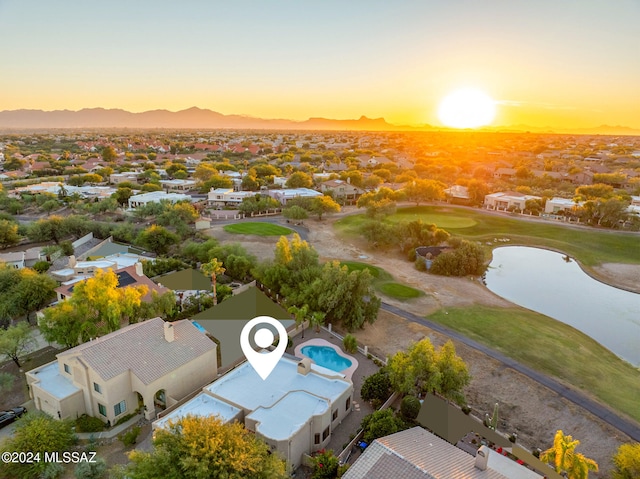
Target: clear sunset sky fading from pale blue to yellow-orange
568, 63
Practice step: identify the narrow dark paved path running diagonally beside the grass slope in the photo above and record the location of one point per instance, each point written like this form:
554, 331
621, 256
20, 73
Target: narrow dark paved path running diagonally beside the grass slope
628, 427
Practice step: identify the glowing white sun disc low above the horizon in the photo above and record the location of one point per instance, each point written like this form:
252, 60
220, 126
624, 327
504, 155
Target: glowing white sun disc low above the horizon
467, 108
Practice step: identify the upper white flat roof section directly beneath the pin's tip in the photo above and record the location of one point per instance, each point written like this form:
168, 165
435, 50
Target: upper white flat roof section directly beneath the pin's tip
235, 385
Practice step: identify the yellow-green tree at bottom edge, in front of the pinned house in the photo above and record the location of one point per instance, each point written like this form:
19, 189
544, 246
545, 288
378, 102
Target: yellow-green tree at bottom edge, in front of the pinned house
195, 447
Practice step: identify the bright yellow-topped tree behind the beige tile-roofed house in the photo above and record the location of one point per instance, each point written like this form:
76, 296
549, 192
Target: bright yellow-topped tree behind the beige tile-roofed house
97, 307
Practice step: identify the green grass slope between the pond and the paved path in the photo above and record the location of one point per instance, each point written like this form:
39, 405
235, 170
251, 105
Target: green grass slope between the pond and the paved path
553, 348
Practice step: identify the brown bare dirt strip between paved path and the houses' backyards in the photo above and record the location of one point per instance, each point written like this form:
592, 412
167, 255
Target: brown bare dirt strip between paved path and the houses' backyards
525, 407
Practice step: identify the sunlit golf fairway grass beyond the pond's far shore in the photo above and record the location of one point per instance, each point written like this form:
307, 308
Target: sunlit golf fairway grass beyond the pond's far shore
590, 246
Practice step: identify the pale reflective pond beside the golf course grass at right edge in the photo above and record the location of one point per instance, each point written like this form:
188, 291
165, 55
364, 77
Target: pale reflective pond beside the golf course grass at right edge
554, 284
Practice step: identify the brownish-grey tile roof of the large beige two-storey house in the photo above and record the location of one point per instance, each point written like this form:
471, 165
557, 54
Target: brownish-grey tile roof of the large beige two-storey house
142, 349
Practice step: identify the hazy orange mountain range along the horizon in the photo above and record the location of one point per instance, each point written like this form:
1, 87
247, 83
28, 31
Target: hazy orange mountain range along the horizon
198, 118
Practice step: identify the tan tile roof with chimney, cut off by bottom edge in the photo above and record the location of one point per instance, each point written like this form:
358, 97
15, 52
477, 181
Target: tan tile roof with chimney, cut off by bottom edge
418, 454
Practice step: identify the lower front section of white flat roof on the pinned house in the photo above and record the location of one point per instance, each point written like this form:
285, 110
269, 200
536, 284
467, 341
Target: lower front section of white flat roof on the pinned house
289, 415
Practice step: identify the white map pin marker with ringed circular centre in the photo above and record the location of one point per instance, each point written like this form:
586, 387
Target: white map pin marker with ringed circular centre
263, 363
